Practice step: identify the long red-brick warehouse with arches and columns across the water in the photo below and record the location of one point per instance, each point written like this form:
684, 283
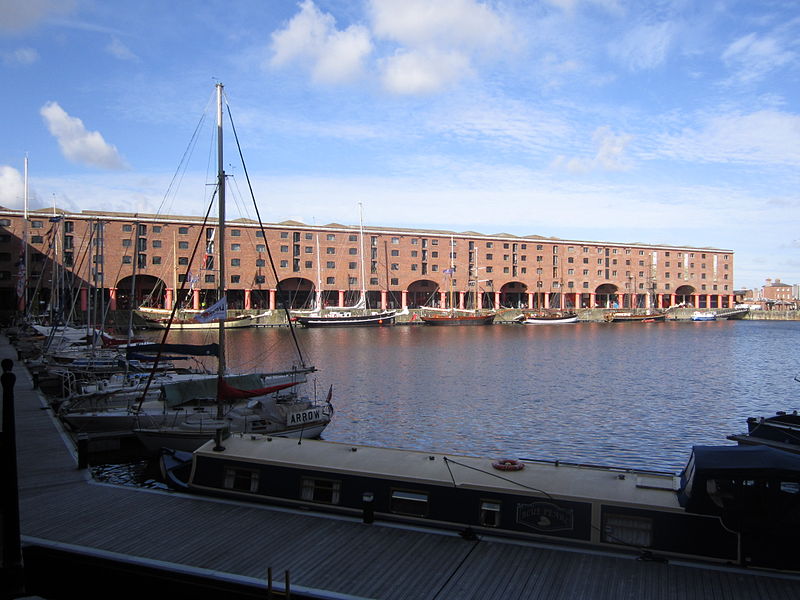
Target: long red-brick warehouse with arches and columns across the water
91, 257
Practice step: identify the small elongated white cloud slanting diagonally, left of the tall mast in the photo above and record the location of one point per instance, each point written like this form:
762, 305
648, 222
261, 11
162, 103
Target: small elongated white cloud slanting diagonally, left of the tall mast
77, 144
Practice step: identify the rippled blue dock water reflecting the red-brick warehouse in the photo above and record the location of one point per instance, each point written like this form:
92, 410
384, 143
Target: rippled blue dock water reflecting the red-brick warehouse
622, 394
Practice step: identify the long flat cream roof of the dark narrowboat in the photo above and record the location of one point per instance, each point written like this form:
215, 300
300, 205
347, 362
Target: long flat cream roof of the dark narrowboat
537, 479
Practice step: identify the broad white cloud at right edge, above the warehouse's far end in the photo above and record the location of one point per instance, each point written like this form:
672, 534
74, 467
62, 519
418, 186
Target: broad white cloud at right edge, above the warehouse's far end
762, 137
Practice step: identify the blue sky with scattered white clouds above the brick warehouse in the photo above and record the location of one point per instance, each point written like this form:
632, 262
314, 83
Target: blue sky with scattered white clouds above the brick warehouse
670, 122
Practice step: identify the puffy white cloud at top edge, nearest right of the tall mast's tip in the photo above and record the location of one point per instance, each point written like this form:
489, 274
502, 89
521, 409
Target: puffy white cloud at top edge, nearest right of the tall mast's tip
311, 36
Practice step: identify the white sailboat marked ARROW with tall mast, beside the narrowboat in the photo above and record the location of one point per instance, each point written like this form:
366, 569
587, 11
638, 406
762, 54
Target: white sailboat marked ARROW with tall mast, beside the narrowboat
193, 412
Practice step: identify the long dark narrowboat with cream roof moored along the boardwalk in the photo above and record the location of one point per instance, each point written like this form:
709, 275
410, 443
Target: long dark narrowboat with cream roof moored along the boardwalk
737, 505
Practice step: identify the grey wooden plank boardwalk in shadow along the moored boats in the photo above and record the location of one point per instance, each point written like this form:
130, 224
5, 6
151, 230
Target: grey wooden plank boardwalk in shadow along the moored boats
327, 556
